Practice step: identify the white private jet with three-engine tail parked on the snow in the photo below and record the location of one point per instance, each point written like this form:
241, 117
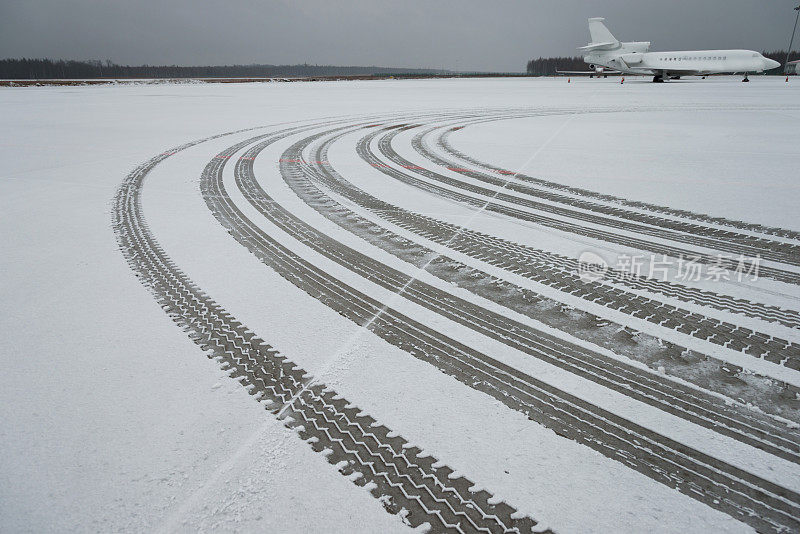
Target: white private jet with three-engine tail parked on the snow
606, 52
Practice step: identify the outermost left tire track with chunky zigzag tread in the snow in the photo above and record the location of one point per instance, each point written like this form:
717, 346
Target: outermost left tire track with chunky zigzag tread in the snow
406, 481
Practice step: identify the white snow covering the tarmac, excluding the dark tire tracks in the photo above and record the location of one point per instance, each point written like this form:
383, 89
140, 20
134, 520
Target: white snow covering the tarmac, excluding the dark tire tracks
113, 419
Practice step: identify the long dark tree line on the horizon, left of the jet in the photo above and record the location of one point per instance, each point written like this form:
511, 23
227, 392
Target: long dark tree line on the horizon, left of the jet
40, 69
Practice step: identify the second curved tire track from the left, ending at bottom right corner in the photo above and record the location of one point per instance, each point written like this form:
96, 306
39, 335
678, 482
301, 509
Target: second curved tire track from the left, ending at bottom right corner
761, 503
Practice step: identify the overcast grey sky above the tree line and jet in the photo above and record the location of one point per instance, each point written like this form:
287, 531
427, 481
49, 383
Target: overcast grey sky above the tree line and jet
464, 35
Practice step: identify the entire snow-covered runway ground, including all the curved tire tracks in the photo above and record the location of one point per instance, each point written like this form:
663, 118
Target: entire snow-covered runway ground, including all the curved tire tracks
392, 270
